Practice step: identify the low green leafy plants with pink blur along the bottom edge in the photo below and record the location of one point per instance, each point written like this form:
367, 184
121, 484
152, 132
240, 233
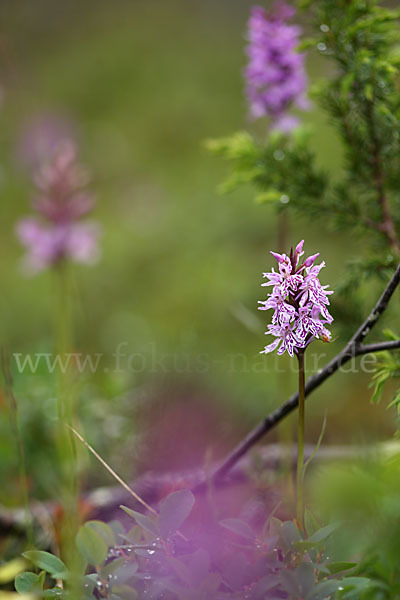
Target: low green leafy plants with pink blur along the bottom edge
154, 559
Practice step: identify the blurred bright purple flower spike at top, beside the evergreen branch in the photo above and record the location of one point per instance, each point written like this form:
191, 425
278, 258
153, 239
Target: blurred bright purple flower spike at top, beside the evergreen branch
276, 80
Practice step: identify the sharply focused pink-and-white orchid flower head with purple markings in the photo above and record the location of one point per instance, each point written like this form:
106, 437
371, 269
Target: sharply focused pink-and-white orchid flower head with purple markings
299, 302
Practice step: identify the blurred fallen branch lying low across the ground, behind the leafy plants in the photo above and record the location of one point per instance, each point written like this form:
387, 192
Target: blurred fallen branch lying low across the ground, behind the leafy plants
104, 502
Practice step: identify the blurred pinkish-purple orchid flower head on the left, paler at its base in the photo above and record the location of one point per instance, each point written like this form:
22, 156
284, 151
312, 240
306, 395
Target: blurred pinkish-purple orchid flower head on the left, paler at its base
61, 203
